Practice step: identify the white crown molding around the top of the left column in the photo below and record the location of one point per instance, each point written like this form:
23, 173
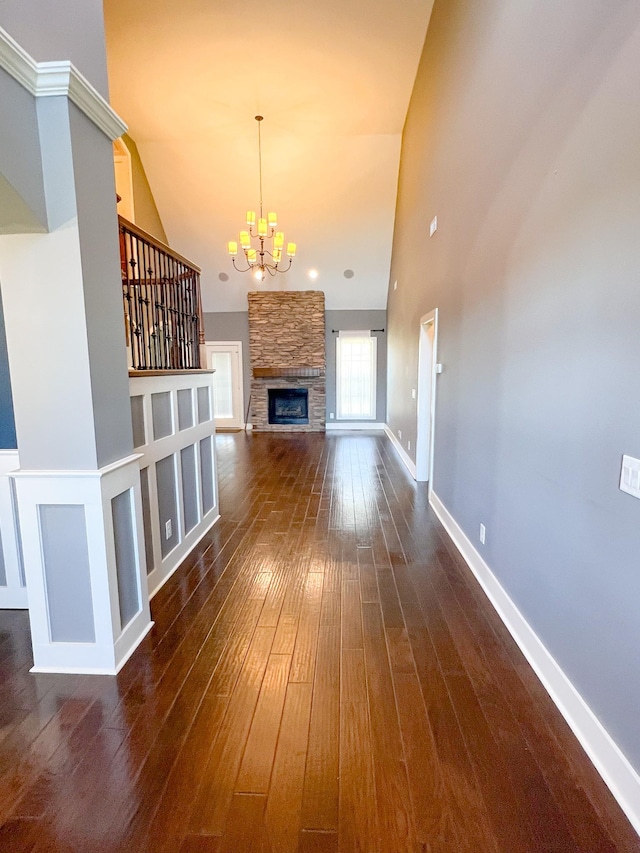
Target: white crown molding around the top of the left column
58, 79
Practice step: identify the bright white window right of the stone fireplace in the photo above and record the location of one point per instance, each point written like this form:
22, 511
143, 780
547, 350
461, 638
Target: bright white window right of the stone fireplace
356, 376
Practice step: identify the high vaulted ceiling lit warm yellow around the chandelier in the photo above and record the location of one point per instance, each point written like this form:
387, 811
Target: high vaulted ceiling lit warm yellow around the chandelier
332, 79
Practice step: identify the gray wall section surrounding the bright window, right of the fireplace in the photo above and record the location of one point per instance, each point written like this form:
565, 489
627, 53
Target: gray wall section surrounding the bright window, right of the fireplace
356, 320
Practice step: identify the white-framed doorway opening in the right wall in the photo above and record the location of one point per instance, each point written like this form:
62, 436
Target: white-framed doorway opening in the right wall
427, 371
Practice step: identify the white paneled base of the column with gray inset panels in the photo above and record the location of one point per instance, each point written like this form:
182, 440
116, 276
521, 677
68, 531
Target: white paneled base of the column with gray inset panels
107, 643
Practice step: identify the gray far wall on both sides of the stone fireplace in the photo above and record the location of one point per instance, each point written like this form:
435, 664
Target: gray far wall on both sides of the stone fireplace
234, 326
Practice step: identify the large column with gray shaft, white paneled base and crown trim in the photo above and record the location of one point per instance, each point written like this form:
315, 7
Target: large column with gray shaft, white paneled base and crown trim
77, 490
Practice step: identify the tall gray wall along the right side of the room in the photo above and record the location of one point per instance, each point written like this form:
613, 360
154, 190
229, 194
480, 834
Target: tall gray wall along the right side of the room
522, 137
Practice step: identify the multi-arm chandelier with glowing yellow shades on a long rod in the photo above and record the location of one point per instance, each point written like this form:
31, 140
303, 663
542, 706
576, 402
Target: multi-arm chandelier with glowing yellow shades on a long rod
261, 260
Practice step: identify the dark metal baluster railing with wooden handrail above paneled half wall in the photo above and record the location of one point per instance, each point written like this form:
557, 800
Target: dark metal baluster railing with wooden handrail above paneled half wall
162, 303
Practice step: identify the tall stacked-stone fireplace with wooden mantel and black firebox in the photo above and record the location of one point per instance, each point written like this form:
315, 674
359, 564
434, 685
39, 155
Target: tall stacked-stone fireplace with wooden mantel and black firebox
286, 331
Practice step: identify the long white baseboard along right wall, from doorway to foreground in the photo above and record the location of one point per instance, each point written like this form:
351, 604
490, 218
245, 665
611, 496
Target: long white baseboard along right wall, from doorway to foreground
618, 774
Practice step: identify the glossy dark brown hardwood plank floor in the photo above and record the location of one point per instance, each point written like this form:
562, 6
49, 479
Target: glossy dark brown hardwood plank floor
324, 675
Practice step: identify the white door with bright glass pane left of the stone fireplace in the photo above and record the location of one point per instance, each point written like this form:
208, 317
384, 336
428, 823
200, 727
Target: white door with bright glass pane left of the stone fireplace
225, 357
